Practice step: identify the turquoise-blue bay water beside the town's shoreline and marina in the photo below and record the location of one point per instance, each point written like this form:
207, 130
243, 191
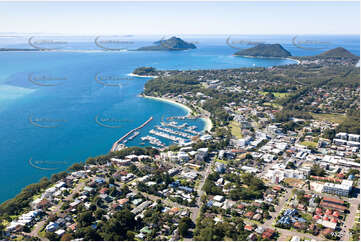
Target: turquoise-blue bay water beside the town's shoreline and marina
53, 121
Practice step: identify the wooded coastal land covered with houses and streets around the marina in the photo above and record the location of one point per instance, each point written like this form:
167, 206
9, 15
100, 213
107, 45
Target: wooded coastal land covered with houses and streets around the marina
280, 159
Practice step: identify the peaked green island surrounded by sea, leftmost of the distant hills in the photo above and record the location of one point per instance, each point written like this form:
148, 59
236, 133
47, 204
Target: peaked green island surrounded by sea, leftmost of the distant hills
172, 43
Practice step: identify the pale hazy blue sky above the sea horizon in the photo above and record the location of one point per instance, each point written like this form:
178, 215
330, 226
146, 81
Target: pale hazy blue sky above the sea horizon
82, 18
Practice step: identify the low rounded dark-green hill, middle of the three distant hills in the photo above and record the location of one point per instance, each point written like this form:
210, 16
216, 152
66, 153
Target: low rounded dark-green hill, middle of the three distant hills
265, 50
